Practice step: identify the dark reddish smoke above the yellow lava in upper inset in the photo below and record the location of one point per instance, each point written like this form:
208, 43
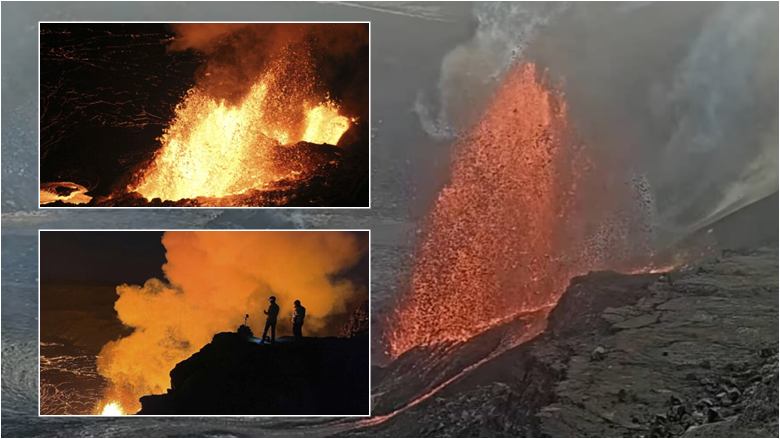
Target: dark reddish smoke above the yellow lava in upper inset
236, 54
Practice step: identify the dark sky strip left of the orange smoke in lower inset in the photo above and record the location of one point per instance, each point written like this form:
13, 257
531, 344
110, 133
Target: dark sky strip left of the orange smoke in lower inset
110, 257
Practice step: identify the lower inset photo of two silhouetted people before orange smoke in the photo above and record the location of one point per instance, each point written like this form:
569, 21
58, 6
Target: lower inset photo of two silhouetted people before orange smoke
206, 323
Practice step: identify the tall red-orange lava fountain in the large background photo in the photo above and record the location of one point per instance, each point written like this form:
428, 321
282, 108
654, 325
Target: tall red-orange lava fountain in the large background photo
512, 226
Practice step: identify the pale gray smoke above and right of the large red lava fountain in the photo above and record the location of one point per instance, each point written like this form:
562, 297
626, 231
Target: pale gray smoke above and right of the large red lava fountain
683, 95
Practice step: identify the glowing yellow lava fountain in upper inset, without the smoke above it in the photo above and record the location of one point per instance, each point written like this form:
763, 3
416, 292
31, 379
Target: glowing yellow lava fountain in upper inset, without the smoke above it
217, 148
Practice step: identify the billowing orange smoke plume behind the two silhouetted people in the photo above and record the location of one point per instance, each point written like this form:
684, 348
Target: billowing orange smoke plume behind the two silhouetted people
212, 279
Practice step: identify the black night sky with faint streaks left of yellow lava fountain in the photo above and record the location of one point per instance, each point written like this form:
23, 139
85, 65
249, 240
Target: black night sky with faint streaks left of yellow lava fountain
107, 91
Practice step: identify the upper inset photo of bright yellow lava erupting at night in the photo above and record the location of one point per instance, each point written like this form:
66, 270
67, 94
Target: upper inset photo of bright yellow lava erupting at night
204, 114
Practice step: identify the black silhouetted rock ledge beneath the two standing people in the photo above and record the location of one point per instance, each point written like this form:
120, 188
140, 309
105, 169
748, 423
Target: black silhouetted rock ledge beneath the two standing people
232, 376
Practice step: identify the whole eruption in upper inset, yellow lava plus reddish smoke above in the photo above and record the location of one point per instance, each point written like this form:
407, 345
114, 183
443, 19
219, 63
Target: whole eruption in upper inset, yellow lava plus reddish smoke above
262, 87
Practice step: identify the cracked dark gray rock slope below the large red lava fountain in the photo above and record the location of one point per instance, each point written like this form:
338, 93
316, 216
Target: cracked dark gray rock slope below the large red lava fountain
688, 353
